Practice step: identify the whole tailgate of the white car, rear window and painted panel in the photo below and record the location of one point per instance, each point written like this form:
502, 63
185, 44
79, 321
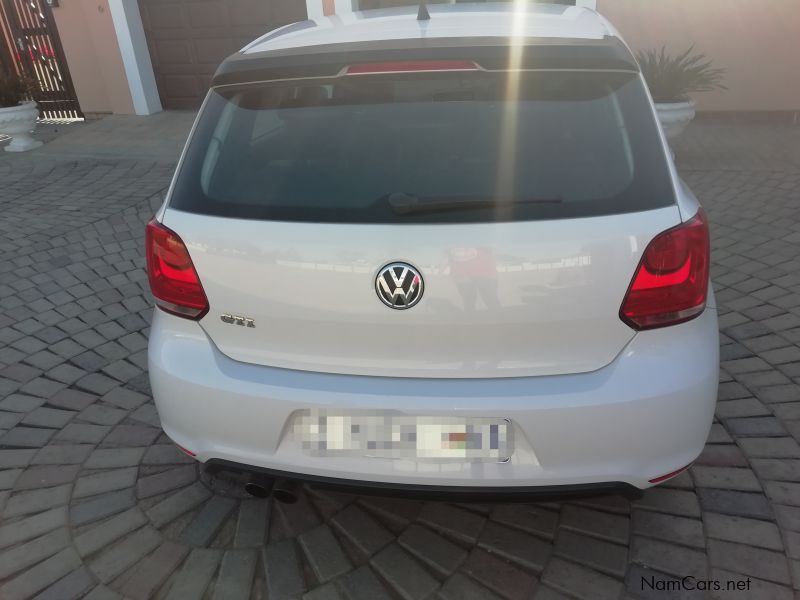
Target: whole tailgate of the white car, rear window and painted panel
527, 200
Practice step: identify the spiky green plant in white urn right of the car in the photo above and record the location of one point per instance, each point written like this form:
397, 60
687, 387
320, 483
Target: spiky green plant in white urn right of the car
672, 79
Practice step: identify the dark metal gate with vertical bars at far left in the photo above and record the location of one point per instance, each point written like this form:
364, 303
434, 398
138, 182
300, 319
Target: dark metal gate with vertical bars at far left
37, 52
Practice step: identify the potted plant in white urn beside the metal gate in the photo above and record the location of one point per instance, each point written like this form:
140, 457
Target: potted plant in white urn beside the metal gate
18, 111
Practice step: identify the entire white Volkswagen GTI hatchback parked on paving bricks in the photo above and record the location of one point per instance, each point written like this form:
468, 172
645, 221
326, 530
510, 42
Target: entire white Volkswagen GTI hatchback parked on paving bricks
444, 253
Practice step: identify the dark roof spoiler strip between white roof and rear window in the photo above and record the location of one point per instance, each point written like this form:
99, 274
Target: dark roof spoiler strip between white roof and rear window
492, 53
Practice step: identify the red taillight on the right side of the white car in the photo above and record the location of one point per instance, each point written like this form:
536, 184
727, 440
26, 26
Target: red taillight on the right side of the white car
671, 282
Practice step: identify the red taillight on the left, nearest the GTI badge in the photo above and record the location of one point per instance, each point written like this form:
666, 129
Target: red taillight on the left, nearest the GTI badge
173, 279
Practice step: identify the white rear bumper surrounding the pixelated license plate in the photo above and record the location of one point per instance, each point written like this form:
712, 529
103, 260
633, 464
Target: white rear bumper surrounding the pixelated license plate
646, 414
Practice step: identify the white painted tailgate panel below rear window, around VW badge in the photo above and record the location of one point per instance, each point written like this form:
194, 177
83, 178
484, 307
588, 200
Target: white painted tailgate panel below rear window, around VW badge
546, 298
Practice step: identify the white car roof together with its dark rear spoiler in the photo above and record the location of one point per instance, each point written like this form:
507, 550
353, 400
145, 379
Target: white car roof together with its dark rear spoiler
552, 36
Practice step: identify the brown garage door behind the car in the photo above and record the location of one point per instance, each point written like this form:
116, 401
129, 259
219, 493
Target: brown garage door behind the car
188, 39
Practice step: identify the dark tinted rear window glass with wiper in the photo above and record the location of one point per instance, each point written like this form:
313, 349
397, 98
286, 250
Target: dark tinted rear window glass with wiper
427, 147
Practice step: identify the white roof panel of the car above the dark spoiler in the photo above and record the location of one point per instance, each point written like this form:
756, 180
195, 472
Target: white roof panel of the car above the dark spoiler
465, 21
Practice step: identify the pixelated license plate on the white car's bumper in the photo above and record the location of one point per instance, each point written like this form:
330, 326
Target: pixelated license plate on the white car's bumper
393, 435
